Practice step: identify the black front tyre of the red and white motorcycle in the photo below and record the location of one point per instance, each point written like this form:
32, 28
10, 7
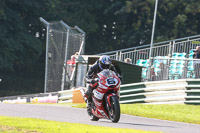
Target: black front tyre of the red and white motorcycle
114, 109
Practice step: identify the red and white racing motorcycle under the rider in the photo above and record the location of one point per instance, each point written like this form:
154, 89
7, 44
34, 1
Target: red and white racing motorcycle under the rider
104, 102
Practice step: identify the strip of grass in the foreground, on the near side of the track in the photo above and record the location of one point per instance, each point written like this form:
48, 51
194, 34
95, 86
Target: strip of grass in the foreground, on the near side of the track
29, 125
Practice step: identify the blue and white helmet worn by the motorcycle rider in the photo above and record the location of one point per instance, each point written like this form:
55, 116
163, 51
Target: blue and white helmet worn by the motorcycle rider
104, 62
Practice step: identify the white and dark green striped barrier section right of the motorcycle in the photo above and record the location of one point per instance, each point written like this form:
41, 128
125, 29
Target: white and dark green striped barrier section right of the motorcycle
162, 92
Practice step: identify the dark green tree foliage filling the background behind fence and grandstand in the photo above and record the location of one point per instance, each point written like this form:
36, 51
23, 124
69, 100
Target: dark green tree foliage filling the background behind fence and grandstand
109, 24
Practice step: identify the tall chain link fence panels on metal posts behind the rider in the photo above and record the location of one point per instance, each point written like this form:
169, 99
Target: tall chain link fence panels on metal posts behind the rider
62, 42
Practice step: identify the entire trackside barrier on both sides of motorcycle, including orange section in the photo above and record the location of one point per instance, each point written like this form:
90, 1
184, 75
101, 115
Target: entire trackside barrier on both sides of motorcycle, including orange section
182, 91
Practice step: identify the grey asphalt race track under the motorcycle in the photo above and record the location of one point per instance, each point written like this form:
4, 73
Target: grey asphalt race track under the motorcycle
76, 115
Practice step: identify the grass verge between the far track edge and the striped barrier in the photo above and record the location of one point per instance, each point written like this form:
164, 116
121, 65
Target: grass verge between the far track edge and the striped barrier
180, 113
